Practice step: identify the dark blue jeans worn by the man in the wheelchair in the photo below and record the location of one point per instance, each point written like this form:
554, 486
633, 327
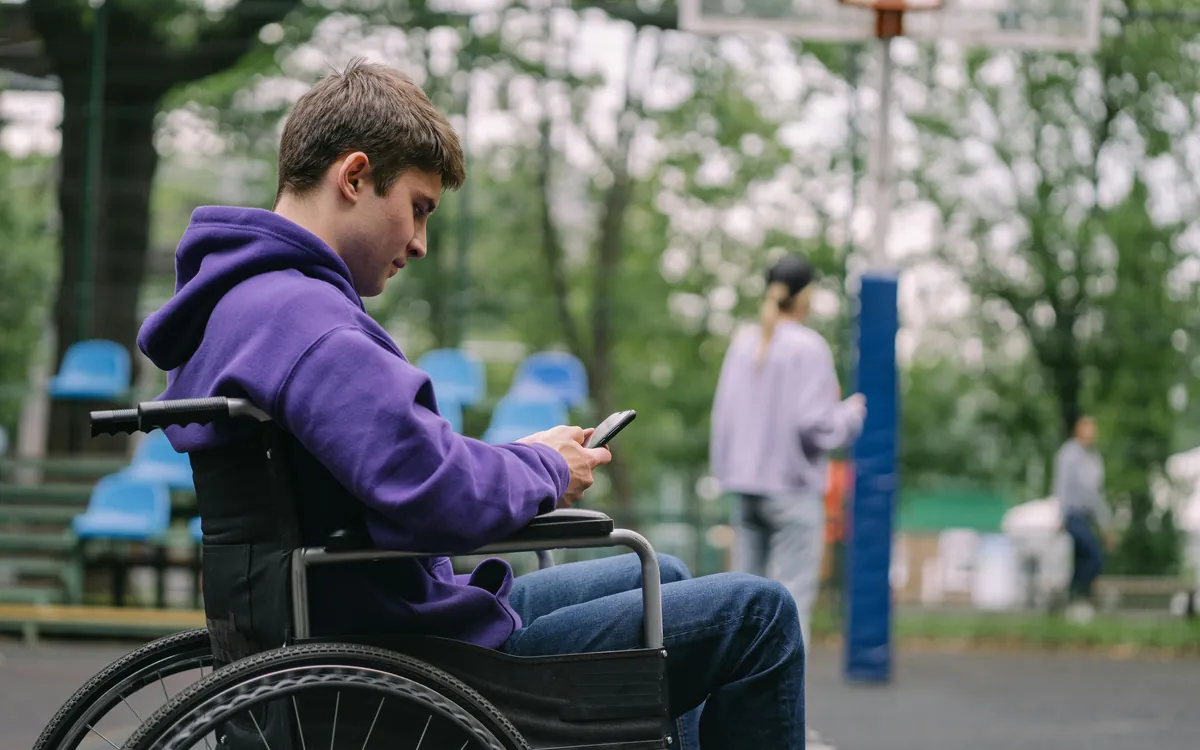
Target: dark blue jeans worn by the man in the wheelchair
734, 643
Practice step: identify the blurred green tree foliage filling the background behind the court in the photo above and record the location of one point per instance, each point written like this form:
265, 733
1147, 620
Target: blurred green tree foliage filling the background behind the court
625, 207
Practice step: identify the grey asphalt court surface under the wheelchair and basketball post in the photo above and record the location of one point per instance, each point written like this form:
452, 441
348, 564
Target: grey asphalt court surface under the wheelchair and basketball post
938, 703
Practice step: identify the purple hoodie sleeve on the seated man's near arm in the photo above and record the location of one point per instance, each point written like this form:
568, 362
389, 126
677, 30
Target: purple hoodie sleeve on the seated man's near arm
358, 409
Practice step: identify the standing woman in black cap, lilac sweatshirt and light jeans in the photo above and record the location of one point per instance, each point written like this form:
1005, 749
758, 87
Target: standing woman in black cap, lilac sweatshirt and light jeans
777, 416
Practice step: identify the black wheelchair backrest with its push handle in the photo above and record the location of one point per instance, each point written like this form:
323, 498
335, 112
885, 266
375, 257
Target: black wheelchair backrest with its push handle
261, 497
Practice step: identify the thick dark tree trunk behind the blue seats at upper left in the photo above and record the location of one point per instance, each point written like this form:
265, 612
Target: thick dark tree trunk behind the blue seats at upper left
136, 51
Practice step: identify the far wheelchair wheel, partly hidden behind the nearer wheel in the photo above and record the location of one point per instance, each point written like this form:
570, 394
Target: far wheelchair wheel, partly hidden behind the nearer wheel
117, 683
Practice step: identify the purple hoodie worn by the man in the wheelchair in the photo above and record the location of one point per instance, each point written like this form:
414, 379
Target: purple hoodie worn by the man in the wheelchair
265, 310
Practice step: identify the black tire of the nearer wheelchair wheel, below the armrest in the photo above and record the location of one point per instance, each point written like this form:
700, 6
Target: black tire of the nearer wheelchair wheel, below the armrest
197, 711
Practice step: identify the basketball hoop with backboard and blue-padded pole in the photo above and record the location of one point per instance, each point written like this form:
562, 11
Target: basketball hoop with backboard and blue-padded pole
1058, 26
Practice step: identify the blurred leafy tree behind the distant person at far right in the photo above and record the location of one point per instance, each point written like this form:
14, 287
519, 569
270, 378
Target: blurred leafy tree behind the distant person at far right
1058, 224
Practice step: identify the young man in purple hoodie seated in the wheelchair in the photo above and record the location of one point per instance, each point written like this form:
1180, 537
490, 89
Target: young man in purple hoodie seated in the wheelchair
269, 307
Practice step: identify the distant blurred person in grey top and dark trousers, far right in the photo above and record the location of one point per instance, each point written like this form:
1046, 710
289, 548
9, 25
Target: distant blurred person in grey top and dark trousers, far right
1079, 489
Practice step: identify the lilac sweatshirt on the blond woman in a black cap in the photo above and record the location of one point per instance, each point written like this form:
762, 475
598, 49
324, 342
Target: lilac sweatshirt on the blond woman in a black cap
775, 424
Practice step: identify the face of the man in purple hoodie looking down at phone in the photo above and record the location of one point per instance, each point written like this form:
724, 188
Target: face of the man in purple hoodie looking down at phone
380, 235
